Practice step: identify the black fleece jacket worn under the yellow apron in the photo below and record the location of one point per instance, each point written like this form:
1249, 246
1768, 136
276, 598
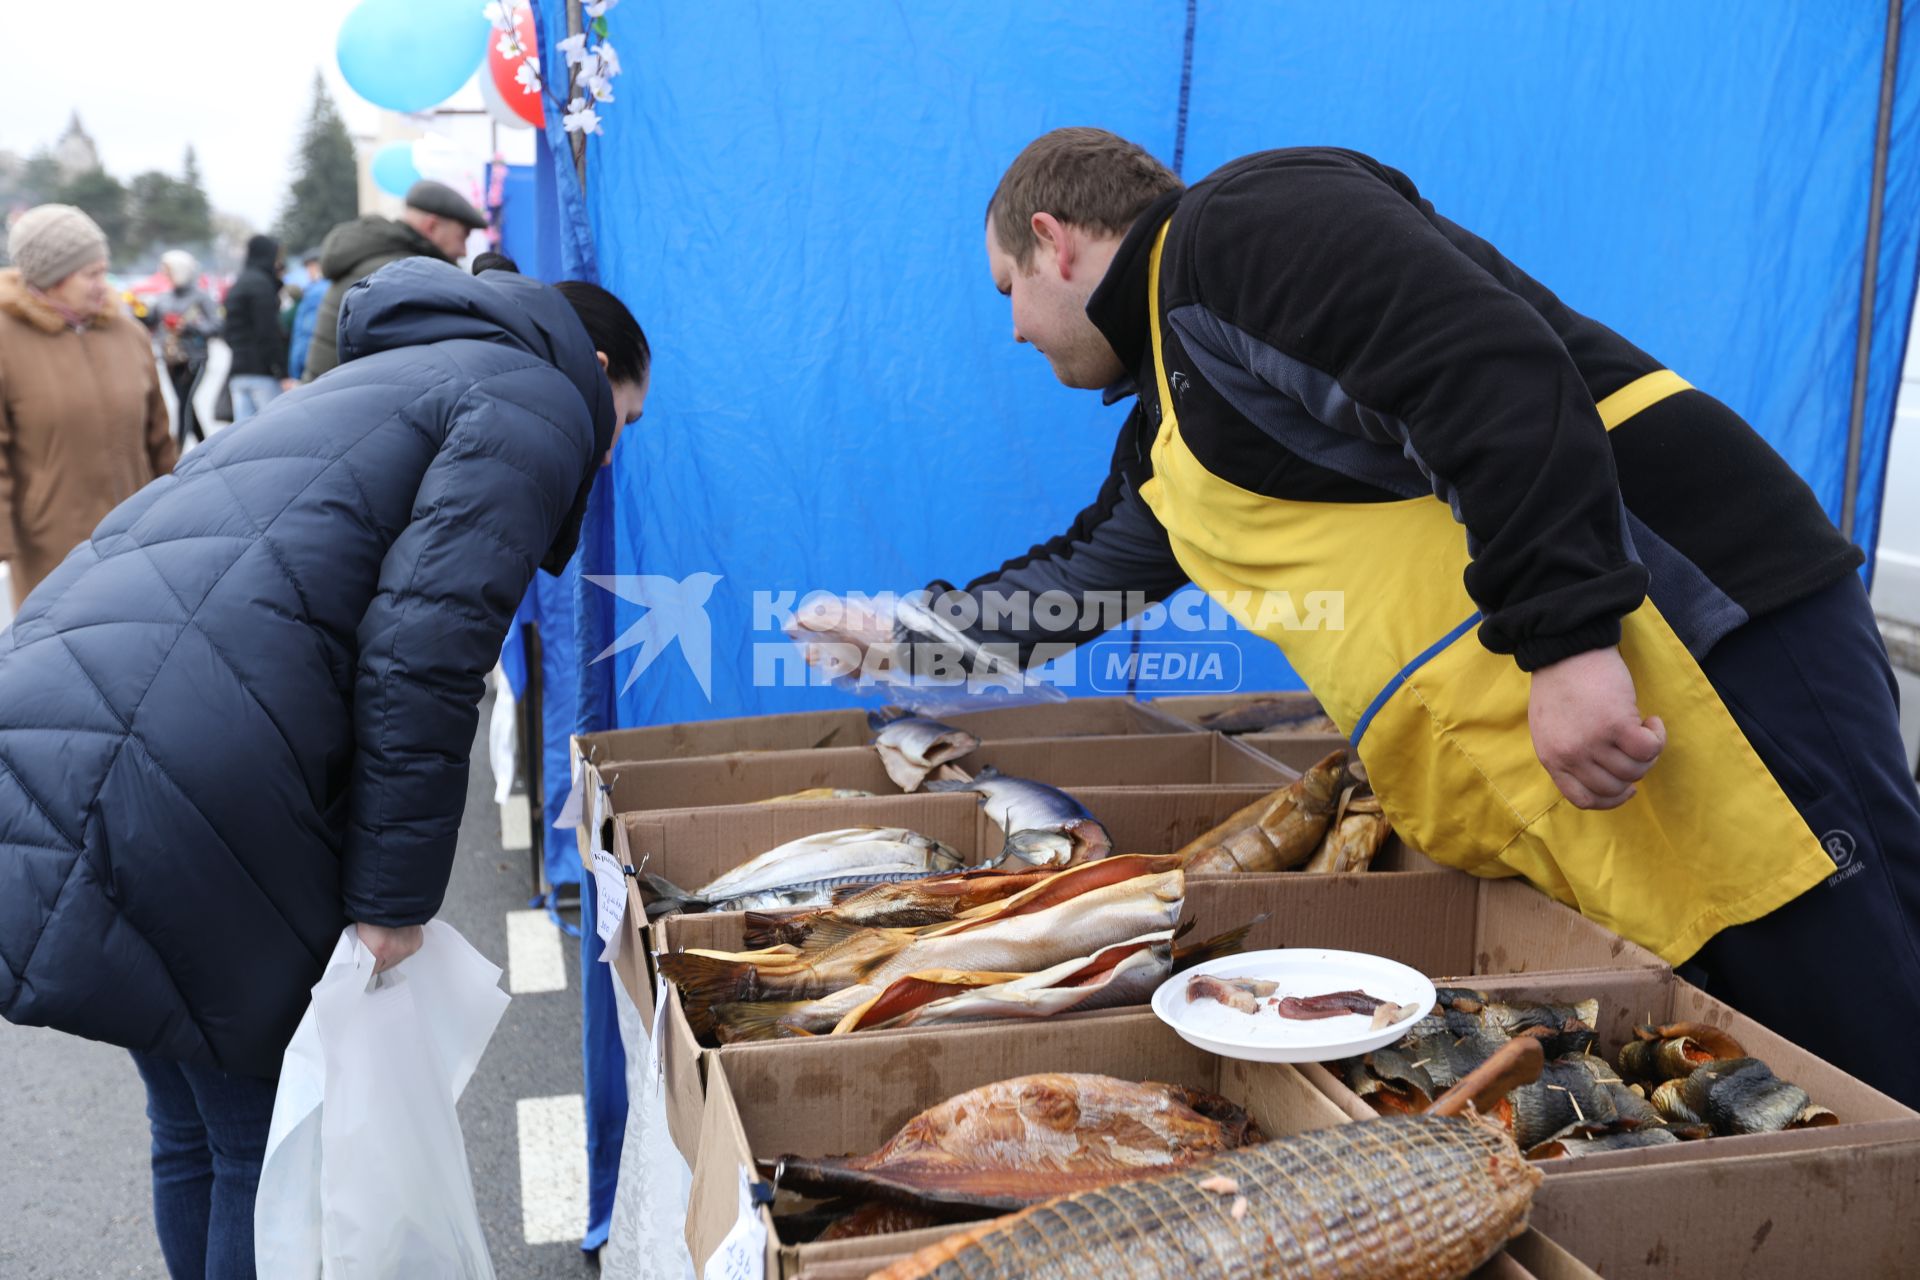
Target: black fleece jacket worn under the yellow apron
1333, 339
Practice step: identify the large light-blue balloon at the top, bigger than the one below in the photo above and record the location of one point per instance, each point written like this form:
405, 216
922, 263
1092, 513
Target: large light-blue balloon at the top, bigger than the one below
412, 55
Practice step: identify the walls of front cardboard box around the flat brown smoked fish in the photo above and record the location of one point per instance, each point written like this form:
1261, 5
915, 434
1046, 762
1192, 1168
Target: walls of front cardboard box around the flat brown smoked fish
832, 1099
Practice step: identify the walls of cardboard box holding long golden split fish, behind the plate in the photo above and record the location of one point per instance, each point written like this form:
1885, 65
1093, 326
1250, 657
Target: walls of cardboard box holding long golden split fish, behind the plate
1443, 924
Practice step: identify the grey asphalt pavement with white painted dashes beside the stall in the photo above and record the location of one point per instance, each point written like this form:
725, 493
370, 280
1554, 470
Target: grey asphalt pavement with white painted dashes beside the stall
72, 1112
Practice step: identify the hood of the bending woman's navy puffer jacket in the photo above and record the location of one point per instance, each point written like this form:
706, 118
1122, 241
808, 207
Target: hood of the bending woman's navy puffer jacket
421, 300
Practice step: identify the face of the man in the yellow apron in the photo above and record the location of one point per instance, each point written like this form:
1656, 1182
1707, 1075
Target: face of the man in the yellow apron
1051, 308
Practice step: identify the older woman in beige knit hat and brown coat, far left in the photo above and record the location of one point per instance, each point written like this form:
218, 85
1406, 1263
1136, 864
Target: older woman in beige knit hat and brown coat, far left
84, 423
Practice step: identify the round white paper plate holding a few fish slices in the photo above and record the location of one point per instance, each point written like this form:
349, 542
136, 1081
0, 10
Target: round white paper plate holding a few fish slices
1272, 1039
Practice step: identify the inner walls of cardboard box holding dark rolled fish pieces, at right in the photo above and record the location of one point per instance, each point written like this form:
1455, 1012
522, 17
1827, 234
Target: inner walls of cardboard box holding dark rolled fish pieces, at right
1629, 999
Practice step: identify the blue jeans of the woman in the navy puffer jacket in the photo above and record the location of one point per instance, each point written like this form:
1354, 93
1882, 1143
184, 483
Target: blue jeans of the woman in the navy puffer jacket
210, 1139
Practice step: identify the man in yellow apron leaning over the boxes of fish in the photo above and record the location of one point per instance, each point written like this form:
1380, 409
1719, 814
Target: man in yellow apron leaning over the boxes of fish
1596, 632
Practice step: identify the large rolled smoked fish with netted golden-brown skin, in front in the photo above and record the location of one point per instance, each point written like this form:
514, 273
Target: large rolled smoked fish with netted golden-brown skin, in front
1441, 1198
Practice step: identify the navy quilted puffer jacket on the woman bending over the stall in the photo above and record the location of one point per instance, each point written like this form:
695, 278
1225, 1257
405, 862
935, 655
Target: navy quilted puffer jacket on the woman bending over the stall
241, 715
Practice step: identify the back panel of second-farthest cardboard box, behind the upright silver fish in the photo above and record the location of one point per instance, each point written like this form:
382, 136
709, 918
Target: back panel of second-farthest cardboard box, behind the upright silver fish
1113, 761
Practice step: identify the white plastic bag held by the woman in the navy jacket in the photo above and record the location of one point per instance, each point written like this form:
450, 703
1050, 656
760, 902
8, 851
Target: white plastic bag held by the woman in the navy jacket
366, 1173
